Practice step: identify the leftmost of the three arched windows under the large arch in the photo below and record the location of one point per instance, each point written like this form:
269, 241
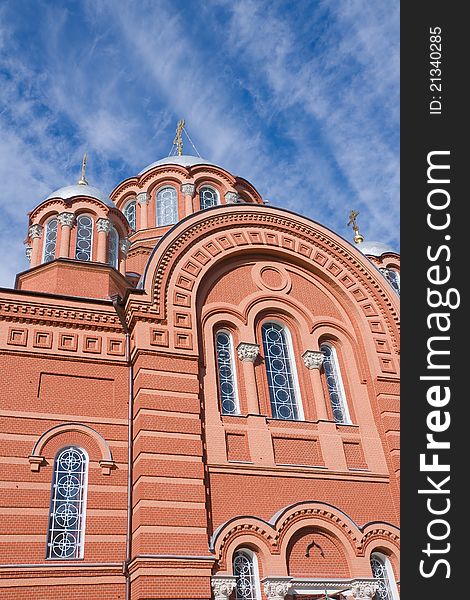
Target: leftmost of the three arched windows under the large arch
226, 373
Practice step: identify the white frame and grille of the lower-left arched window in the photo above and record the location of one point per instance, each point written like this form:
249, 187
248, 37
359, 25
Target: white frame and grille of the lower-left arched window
55, 503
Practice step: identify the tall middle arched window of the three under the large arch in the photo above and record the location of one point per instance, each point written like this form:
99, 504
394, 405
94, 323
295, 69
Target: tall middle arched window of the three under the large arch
282, 383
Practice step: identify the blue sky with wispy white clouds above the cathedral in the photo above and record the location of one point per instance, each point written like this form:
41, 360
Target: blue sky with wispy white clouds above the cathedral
300, 98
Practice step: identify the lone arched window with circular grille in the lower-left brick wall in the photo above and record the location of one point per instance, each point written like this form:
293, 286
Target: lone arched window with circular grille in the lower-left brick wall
68, 501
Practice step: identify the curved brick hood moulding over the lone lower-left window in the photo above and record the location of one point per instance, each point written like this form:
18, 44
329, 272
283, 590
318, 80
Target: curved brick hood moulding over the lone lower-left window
36, 459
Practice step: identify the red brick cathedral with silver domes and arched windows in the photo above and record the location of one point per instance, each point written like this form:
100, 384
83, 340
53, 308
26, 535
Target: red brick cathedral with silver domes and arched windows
200, 399
